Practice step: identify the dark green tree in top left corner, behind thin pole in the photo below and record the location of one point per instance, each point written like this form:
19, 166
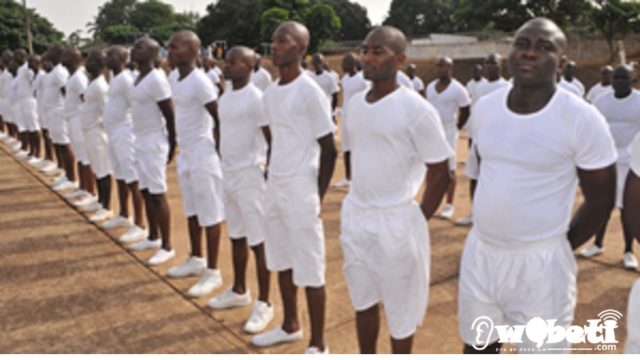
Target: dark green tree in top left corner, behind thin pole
12, 34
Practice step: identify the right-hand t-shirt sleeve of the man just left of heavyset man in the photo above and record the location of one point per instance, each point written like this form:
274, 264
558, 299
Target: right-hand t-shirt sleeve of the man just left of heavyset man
427, 135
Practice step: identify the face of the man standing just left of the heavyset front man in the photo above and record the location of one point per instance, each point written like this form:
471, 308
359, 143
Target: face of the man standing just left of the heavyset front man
380, 61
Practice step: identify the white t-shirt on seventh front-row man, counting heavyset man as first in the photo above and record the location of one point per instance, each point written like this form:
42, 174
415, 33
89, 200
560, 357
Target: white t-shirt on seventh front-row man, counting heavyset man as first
117, 111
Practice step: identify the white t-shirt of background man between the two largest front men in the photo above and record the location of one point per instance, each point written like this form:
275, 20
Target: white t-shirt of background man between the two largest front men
448, 102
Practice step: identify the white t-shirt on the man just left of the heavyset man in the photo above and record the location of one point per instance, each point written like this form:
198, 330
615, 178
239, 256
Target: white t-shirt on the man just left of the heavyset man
397, 135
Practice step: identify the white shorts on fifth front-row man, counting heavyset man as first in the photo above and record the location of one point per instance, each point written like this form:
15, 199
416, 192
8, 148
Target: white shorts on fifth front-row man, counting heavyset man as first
201, 186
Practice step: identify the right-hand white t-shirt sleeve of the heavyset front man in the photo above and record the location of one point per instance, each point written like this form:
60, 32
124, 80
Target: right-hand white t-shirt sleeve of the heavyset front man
594, 145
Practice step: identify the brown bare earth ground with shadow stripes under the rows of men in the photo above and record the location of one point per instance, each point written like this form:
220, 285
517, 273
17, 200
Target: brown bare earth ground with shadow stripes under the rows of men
67, 287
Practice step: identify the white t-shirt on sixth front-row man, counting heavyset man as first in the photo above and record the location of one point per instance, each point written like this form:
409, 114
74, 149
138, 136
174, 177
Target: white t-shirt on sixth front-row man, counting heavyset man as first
146, 115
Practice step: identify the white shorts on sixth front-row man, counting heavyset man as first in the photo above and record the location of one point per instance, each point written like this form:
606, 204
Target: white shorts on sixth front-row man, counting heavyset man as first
152, 153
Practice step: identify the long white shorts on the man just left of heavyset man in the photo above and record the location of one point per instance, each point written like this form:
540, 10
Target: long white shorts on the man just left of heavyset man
386, 259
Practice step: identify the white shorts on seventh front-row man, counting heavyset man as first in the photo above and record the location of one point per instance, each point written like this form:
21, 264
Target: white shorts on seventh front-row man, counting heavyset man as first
122, 154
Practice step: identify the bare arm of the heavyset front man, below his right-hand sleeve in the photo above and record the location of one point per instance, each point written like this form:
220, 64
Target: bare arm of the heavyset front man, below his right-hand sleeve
599, 190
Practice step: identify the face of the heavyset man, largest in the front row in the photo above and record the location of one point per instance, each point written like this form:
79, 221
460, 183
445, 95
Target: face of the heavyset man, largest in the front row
536, 55
